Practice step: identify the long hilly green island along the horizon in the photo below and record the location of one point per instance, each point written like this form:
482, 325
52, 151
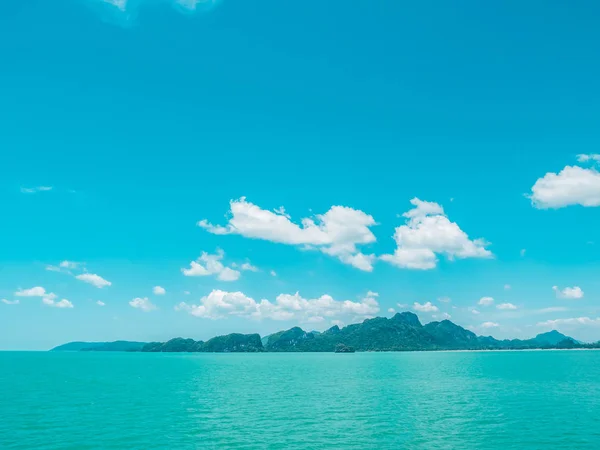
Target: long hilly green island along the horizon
402, 332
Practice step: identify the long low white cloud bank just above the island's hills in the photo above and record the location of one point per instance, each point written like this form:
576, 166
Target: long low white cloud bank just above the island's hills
220, 304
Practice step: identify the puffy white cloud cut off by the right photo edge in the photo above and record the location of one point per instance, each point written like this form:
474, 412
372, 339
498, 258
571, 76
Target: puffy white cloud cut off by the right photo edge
571, 186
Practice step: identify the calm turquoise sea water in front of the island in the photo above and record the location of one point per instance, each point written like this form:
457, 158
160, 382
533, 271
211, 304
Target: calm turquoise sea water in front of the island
493, 400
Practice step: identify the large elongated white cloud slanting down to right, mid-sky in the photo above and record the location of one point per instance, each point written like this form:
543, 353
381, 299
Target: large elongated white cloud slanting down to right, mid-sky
337, 233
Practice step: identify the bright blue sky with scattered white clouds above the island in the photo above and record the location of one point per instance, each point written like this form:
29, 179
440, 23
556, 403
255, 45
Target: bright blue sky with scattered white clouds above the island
193, 168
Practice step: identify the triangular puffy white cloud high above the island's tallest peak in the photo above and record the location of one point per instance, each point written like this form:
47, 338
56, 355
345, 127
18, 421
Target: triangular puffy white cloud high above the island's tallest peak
427, 233
